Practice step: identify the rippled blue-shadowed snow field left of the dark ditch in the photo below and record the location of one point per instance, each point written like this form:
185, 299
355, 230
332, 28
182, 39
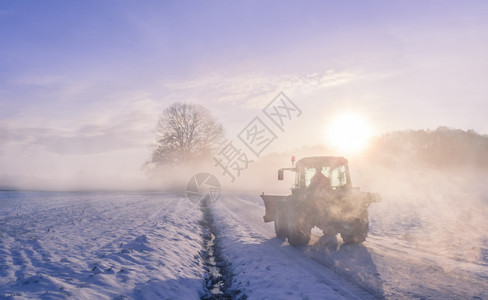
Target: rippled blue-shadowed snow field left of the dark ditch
99, 246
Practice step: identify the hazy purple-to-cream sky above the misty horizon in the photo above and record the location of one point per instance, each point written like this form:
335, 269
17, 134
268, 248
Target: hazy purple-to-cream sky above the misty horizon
82, 82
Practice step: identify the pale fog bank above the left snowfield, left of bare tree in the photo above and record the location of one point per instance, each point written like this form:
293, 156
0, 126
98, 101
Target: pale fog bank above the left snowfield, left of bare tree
101, 148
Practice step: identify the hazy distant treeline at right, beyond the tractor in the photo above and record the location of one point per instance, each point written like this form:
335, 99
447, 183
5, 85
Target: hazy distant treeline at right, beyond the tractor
443, 147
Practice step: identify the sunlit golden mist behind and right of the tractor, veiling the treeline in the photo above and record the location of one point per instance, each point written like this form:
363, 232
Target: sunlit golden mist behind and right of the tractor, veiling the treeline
432, 184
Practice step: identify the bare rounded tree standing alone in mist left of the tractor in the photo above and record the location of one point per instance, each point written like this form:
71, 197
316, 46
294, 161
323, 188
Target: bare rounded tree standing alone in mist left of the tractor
185, 133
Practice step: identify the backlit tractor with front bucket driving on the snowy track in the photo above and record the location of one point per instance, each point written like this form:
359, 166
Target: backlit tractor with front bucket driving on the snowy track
321, 196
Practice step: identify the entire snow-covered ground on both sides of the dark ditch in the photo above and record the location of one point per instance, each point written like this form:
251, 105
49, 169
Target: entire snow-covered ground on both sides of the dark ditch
152, 246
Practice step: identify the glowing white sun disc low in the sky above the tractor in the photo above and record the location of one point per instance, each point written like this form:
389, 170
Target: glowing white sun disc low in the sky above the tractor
348, 132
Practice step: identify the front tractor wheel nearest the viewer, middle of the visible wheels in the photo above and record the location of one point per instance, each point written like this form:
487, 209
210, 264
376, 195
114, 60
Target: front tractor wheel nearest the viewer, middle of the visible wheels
298, 230
